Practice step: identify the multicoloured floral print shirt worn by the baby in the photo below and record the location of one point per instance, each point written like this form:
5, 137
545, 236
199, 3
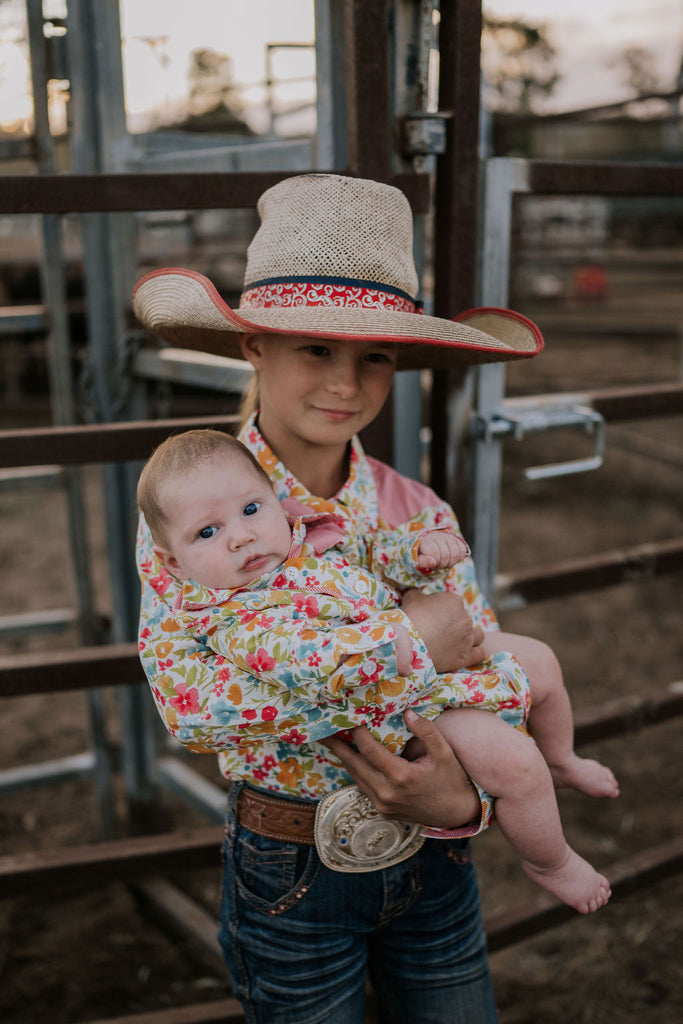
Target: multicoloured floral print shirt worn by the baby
314, 627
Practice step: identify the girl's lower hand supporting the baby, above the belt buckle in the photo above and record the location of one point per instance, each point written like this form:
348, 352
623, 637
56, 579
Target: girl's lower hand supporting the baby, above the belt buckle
434, 790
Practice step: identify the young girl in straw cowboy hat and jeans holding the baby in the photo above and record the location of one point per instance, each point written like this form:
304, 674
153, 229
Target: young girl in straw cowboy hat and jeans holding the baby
328, 315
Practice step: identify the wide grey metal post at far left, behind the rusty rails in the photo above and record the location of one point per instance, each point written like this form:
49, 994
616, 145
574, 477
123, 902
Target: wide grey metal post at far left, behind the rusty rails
101, 145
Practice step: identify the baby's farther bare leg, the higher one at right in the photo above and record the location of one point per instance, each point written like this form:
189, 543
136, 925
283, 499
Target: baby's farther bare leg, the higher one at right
550, 719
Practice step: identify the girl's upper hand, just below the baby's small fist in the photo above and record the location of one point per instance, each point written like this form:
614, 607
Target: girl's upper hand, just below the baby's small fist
450, 636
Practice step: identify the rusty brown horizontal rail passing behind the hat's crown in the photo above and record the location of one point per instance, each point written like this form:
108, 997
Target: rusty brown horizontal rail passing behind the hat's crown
124, 193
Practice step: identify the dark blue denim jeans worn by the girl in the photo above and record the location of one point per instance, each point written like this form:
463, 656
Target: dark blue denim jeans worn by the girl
300, 938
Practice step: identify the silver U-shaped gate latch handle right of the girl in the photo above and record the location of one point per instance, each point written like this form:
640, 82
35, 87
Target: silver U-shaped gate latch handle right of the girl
537, 419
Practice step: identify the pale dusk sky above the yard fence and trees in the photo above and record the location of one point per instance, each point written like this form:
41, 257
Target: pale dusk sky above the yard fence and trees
160, 35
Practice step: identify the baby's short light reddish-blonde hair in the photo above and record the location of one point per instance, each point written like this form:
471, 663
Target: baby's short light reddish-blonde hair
176, 456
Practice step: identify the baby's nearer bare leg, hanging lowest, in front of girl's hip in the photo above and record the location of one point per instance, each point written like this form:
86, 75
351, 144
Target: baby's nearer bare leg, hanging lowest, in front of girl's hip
509, 766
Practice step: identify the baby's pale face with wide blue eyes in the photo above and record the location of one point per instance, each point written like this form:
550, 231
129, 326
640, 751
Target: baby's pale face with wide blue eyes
226, 527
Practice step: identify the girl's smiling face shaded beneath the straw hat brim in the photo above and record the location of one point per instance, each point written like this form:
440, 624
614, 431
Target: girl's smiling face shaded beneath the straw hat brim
318, 393
